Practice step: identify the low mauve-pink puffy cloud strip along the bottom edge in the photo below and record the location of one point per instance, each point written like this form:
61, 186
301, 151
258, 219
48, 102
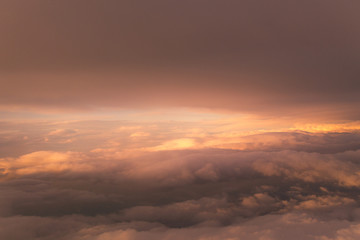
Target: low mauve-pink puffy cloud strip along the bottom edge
273, 227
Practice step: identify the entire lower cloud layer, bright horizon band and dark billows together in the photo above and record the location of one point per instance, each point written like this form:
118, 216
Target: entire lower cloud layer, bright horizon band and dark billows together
280, 185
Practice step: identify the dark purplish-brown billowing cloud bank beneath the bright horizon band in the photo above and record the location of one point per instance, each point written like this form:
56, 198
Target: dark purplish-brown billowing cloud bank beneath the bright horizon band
180, 192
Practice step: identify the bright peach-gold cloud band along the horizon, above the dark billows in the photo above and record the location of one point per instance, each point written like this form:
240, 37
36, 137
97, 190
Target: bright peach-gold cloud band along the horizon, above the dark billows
123, 137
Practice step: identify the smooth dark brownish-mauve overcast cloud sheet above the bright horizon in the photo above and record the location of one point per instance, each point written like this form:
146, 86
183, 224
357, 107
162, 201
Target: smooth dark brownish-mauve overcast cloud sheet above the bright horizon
256, 56
